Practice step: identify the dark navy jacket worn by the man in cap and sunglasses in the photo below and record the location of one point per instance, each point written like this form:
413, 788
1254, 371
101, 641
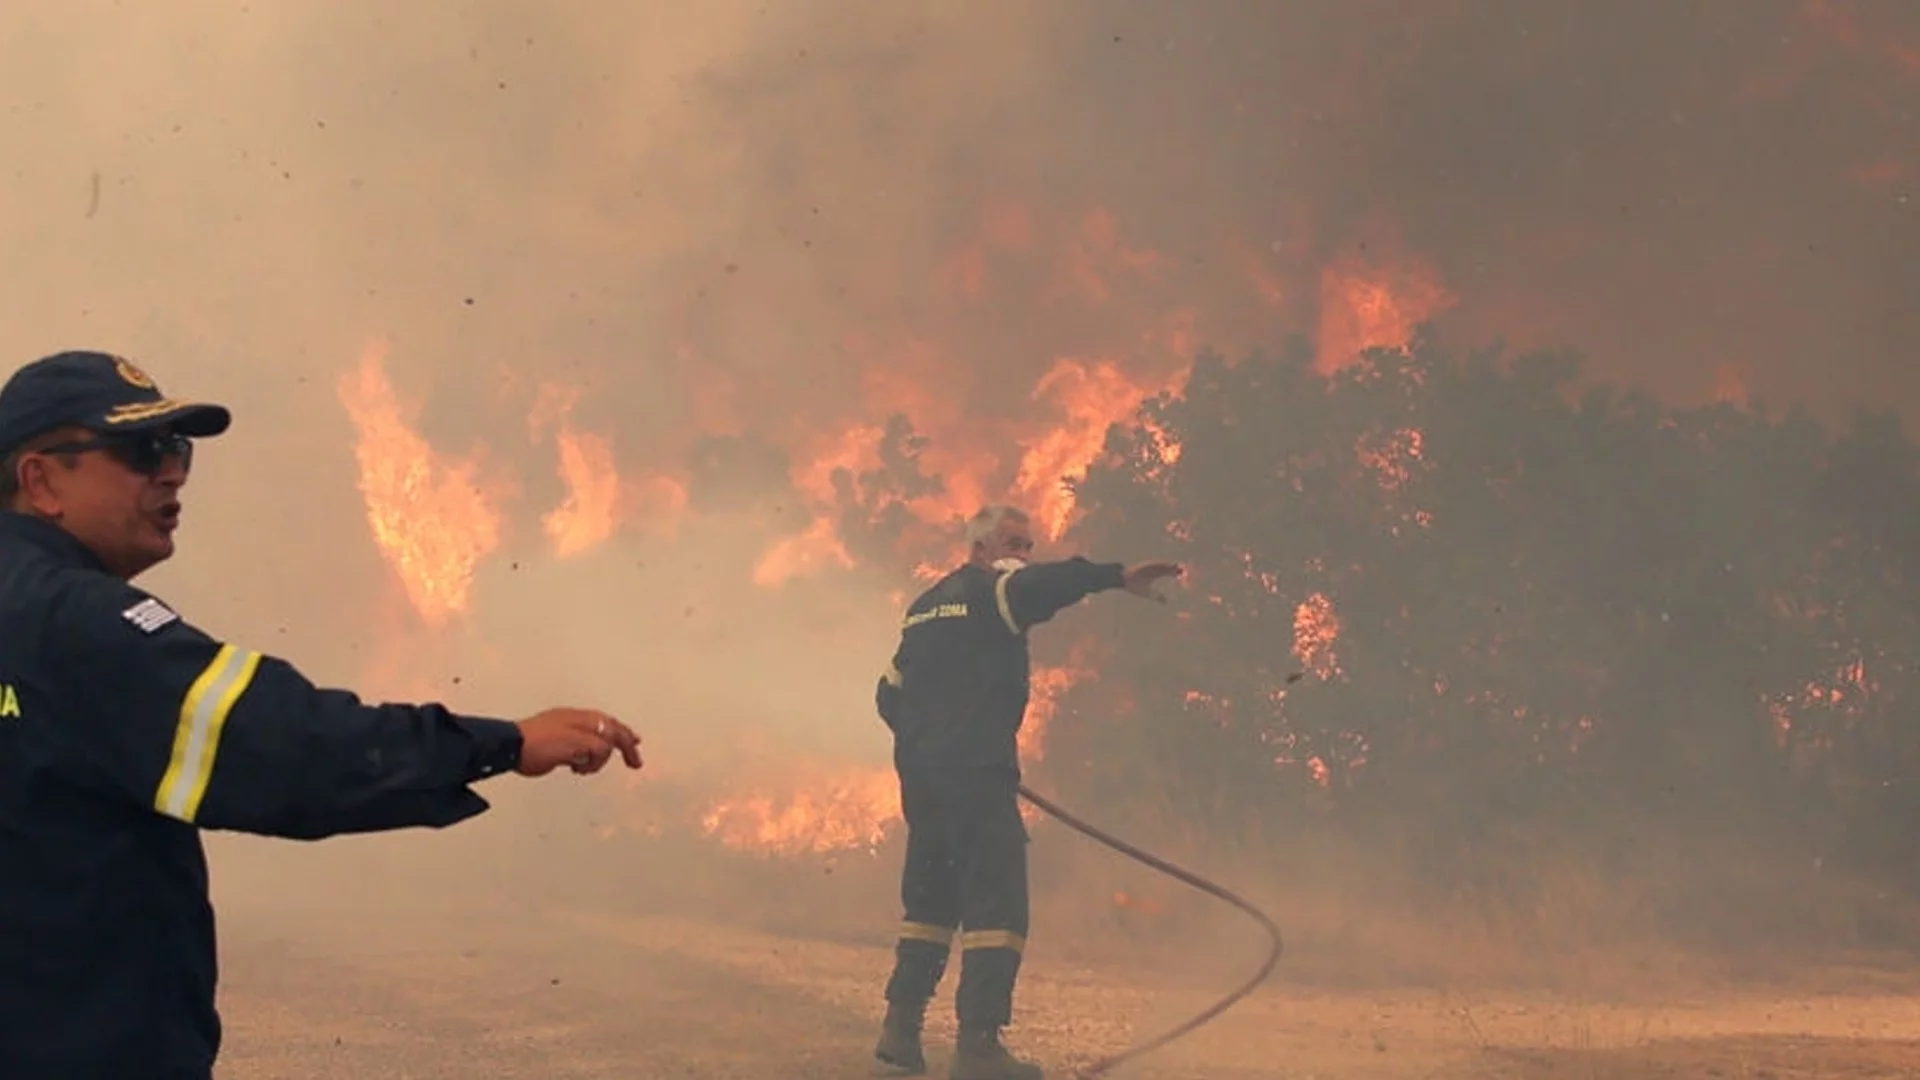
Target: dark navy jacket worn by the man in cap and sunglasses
124, 733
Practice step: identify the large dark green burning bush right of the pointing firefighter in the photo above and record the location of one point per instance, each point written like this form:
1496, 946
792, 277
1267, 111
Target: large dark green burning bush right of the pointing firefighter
1451, 597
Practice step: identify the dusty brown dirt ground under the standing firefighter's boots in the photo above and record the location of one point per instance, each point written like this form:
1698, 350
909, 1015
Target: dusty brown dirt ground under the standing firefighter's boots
590, 994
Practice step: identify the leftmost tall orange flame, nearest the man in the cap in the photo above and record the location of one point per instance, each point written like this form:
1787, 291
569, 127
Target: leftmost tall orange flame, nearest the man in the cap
429, 516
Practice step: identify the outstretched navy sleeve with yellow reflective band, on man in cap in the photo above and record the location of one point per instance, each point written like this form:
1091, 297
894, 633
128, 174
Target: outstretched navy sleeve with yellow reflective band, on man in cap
222, 737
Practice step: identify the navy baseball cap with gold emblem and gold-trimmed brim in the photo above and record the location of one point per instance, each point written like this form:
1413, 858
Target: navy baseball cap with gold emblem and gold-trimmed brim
101, 393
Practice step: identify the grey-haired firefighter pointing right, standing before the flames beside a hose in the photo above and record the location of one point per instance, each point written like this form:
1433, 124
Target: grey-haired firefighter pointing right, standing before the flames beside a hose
955, 699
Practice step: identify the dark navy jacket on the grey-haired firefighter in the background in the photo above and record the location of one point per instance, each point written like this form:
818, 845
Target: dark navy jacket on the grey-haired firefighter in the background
959, 683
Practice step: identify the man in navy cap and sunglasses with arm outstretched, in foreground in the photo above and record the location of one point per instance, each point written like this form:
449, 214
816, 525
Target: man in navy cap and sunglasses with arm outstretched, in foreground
126, 731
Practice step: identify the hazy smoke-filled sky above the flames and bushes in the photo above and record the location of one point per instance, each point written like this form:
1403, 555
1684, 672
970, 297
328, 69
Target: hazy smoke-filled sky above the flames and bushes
777, 220
